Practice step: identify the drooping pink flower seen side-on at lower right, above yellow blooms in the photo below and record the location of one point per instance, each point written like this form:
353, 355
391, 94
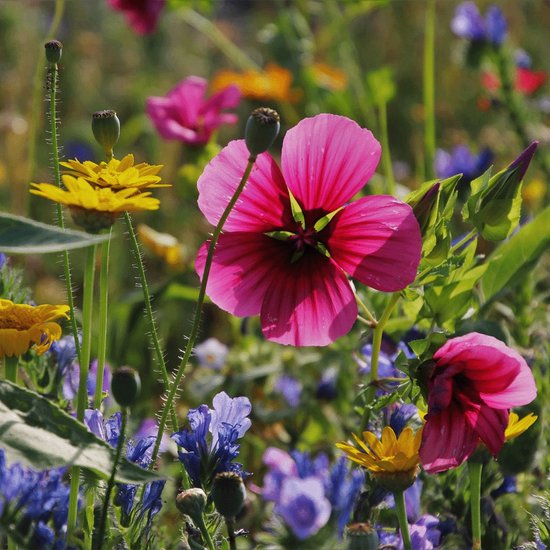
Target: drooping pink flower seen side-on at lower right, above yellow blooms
476, 380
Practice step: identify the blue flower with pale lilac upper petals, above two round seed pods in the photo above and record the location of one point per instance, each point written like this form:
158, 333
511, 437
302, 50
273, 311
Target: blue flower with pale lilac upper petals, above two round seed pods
205, 456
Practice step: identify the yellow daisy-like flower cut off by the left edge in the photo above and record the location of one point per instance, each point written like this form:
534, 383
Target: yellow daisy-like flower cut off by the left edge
22, 325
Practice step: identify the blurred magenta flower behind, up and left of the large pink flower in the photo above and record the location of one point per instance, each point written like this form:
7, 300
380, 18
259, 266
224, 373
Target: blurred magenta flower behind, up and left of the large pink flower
186, 115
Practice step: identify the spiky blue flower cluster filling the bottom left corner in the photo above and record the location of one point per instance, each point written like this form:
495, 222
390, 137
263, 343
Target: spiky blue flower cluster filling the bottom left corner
35, 503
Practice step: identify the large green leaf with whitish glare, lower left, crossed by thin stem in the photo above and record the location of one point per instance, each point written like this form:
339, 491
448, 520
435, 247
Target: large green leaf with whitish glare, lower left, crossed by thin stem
37, 433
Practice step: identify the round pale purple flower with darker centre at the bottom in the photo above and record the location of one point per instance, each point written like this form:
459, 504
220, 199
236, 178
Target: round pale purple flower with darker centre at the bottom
303, 506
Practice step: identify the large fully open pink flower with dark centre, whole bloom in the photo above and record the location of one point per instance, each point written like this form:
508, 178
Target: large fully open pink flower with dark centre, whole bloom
294, 274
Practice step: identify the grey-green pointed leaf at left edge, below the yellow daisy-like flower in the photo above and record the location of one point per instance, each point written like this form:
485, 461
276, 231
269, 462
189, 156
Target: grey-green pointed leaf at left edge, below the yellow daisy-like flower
20, 235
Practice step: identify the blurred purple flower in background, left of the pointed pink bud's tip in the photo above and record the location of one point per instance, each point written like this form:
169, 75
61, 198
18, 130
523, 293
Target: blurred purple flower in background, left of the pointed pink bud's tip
462, 161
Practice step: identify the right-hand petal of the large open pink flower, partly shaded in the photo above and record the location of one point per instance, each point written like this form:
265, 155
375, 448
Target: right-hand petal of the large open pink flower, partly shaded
377, 240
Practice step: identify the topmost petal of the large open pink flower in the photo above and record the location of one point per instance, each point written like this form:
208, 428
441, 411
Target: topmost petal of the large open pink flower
327, 159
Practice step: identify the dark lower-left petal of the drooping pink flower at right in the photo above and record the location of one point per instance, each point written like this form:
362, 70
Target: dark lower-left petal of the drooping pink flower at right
447, 440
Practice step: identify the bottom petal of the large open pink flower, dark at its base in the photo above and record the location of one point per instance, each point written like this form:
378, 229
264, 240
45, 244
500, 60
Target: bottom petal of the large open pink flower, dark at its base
308, 303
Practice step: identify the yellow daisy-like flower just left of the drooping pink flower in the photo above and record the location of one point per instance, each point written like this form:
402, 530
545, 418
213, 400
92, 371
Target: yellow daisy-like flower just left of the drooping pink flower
393, 461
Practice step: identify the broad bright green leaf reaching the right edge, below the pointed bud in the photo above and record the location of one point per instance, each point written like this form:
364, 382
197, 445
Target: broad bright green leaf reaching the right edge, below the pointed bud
510, 260
